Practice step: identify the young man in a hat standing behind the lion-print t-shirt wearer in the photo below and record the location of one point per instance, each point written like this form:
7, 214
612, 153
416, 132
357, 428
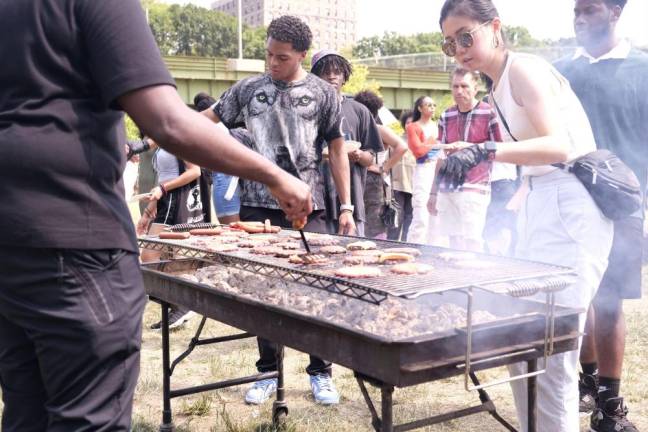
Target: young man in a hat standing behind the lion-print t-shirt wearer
357, 125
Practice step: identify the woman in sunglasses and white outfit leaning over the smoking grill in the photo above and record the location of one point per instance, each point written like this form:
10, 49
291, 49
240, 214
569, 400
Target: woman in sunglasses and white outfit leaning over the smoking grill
543, 123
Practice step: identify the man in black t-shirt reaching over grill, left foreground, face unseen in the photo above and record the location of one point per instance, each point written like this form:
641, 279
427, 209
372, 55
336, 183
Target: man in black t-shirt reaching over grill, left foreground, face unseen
71, 293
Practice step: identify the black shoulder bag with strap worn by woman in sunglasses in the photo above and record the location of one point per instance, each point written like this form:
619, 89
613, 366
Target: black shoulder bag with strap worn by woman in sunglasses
612, 184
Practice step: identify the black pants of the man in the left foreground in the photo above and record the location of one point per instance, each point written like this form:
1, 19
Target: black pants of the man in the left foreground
70, 335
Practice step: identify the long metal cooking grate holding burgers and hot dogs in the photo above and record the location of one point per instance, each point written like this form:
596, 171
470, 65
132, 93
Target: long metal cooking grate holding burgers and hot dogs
506, 275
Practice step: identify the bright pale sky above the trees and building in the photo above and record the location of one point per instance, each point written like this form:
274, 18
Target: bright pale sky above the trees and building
545, 19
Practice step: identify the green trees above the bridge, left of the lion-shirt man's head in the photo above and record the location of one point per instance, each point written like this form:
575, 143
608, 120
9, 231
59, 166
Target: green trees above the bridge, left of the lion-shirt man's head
195, 31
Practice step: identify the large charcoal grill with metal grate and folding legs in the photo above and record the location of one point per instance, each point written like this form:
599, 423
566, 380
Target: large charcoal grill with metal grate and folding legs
525, 330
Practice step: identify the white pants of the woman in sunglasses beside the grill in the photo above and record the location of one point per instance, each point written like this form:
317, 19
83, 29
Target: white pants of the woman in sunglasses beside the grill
559, 223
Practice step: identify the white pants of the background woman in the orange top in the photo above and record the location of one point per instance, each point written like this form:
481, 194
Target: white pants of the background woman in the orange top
421, 229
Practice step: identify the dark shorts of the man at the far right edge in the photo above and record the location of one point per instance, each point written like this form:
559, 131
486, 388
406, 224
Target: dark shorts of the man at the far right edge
622, 279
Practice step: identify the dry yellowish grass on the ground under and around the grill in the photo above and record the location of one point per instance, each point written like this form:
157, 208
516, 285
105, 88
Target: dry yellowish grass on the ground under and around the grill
224, 410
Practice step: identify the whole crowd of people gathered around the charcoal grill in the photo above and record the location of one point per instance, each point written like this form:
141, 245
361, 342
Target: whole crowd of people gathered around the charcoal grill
289, 145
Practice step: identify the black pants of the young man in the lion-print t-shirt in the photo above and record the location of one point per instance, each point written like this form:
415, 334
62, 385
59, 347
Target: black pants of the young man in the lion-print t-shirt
267, 349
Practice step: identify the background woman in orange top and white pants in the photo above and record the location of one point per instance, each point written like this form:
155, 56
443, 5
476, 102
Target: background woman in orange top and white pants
421, 140
